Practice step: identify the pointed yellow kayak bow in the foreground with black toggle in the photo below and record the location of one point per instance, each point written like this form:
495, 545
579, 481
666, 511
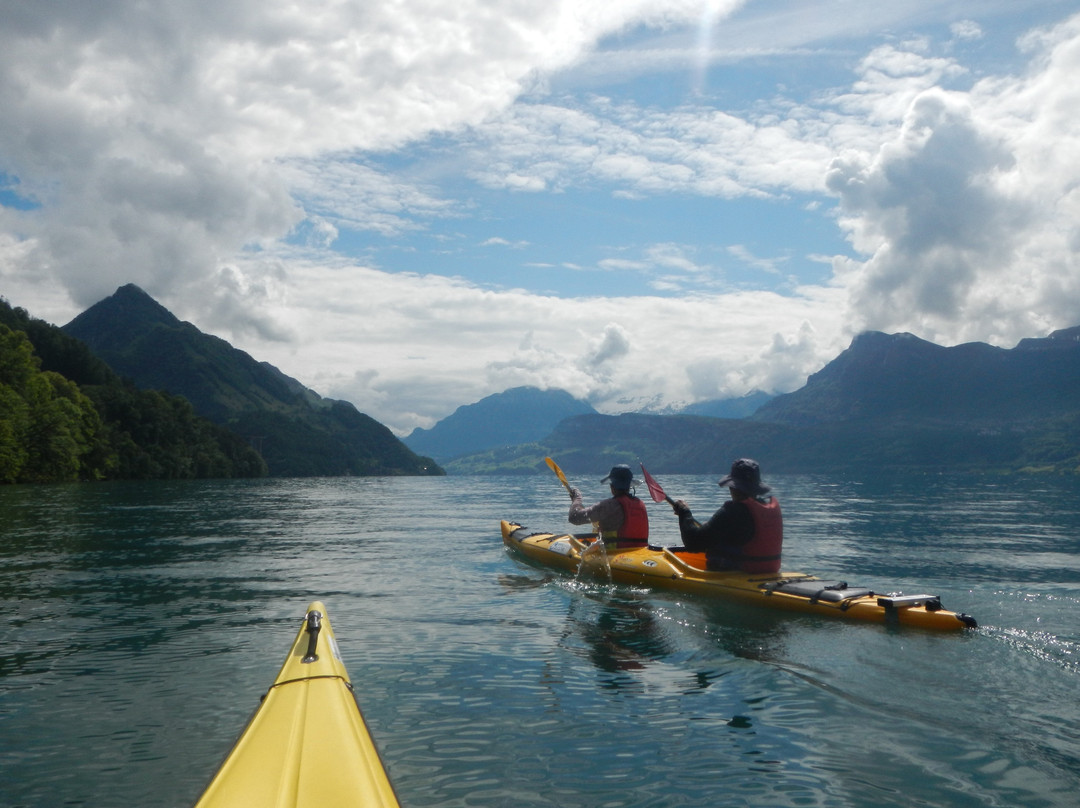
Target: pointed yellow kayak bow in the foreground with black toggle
307, 746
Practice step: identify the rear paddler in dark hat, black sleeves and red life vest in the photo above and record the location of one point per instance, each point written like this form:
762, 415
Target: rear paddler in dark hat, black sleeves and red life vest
747, 534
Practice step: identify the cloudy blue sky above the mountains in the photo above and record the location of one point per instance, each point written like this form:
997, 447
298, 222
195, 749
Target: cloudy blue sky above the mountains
645, 204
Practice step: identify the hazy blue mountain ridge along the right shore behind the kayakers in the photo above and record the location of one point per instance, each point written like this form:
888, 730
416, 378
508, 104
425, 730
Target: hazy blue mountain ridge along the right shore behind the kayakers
888, 402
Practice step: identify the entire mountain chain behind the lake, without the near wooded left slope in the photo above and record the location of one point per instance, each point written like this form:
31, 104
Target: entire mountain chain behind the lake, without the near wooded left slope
890, 401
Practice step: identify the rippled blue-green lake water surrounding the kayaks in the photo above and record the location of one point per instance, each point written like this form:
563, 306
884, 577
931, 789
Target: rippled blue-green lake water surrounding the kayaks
144, 622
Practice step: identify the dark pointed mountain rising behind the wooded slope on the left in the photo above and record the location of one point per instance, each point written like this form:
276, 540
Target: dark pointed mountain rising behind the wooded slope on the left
299, 433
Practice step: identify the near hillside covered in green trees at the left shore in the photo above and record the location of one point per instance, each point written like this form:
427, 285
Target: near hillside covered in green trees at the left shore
78, 418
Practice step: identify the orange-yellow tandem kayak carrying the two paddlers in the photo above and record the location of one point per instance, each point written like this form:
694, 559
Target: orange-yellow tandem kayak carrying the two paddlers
684, 572
